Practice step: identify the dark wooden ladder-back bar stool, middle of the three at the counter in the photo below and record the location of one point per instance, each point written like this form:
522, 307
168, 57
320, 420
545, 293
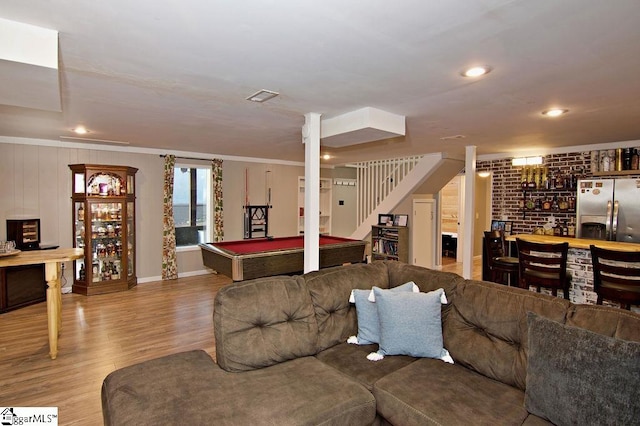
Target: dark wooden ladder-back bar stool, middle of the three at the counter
544, 265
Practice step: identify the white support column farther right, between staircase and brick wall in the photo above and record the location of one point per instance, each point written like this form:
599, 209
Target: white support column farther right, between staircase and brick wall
469, 210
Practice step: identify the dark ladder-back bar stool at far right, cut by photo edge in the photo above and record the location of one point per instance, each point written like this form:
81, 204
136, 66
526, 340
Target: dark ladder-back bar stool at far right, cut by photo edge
616, 276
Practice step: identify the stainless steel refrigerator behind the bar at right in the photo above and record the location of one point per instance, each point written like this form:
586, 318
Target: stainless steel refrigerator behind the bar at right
609, 209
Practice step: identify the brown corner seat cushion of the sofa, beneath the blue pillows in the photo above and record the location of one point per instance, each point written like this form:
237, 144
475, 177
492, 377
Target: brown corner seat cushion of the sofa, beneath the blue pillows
352, 361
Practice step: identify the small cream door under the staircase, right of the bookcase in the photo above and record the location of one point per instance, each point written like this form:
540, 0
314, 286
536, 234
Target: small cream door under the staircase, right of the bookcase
423, 234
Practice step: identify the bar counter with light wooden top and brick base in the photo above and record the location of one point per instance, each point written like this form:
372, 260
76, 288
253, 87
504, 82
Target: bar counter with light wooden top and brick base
579, 264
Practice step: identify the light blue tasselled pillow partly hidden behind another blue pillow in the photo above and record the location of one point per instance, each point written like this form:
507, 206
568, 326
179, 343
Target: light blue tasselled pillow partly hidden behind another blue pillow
368, 322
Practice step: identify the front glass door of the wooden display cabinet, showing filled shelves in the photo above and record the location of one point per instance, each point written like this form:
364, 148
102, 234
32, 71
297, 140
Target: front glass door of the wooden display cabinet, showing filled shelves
106, 241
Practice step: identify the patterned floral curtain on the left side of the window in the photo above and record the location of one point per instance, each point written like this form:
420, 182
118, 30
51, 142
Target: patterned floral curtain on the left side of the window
169, 262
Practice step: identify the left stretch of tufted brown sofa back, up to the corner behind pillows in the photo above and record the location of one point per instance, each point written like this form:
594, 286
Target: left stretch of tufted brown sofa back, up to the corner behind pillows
266, 321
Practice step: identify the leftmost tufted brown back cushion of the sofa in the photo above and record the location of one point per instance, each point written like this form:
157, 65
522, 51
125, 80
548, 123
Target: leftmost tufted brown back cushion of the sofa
262, 322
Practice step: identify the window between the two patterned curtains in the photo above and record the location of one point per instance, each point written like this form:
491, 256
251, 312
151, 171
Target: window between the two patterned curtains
192, 204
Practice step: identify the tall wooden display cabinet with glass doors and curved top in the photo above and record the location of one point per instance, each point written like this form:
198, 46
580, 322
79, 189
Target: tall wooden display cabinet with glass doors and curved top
104, 227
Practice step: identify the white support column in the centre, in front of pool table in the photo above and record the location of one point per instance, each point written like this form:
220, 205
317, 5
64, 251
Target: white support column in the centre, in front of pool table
311, 140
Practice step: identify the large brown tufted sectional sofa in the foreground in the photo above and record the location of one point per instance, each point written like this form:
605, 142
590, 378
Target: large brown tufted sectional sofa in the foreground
282, 358
